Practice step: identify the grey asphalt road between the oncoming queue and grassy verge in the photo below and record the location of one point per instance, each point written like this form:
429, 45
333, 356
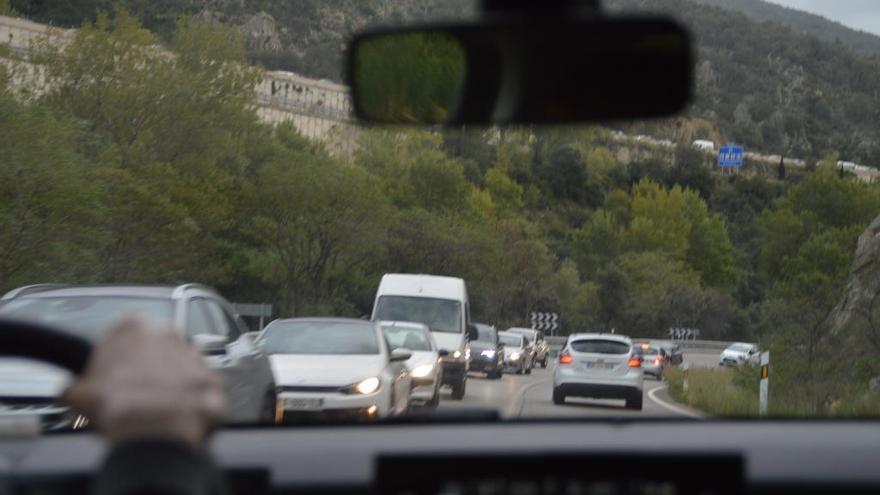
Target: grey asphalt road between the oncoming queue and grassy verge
529, 396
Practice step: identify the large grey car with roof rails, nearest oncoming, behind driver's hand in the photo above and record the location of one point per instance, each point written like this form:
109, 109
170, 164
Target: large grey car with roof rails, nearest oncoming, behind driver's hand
203, 316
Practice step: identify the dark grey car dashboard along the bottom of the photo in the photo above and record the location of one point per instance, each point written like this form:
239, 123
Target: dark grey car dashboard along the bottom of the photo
602, 457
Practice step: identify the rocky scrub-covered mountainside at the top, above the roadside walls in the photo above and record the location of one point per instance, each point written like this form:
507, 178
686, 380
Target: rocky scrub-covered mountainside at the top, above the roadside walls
767, 86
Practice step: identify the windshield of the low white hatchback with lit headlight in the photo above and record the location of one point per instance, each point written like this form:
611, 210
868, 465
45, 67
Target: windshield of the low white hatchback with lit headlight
319, 337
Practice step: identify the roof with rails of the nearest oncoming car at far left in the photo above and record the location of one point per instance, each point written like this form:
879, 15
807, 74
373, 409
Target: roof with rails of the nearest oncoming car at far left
107, 290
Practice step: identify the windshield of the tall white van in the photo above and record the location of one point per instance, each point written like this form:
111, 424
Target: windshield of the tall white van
440, 315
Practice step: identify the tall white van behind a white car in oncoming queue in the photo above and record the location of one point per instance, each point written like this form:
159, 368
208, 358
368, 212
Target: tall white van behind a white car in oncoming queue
441, 303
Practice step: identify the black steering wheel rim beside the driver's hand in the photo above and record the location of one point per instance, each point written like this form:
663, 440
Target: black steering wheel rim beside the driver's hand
44, 343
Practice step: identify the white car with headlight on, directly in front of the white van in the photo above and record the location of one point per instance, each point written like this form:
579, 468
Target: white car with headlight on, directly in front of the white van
424, 365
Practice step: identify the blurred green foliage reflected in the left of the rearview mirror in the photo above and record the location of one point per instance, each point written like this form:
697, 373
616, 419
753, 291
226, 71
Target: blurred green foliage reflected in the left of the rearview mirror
409, 77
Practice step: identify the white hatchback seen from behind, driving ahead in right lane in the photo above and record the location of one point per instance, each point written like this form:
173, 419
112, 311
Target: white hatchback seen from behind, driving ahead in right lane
600, 366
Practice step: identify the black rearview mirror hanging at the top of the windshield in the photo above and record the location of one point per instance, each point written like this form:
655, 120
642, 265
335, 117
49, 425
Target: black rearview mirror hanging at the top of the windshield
544, 70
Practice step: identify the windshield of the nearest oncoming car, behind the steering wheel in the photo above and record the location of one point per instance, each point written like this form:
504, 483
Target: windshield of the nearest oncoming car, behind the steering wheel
87, 316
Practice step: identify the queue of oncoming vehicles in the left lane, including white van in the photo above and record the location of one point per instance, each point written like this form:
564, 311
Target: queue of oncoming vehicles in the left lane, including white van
418, 339
